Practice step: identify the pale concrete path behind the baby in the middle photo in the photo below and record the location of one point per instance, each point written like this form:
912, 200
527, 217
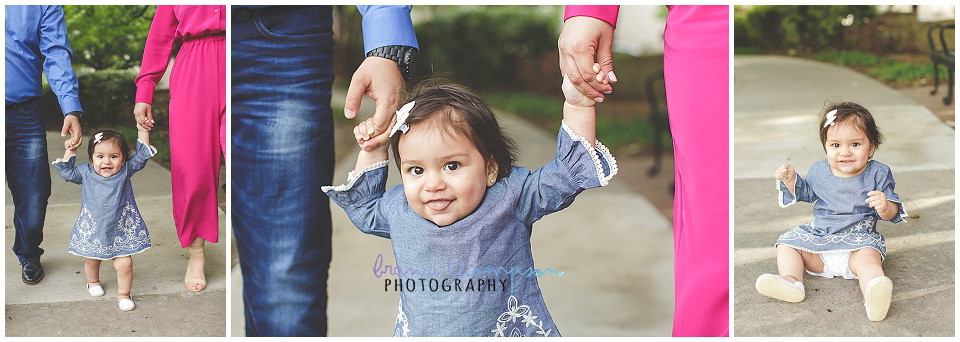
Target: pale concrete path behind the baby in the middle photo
614, 246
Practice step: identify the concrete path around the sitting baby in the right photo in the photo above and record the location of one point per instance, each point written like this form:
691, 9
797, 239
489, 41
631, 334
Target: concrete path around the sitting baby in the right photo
777, 100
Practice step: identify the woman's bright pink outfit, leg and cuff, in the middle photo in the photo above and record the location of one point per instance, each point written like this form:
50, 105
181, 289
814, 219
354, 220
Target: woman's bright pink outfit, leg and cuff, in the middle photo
696, 77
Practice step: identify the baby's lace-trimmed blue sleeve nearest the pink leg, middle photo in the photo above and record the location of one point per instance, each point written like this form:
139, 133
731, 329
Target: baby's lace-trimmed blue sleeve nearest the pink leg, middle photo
577, 166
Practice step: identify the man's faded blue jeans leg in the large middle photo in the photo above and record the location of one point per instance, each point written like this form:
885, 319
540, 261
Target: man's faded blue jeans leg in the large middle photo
282, 153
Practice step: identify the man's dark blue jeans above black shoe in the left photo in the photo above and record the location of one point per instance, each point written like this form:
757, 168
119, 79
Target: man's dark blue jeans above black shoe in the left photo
28, 175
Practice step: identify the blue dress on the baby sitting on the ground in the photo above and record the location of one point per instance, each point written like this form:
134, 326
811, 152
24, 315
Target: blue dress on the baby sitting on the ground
842, 220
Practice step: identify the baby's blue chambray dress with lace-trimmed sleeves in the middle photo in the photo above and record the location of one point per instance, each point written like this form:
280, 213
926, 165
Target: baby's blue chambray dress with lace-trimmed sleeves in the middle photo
496, 234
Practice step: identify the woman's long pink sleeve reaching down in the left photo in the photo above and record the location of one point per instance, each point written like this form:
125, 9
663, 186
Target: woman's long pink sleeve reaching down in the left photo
156, 52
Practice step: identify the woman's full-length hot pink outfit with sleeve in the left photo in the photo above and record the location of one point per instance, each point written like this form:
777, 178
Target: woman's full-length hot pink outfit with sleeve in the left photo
197, 109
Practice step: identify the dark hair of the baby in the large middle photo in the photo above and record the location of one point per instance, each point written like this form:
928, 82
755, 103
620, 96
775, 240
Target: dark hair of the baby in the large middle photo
461, 112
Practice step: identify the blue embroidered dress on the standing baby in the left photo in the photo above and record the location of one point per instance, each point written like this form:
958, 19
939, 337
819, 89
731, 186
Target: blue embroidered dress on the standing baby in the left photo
109, 225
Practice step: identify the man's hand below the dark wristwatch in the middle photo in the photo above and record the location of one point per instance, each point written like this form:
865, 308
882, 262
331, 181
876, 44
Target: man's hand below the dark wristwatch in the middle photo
380, 79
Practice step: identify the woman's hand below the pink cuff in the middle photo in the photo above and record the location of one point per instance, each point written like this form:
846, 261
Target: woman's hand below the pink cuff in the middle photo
583, 42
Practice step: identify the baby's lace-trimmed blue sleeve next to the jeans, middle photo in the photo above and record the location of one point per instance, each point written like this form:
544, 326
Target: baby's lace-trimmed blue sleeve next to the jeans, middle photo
362, 196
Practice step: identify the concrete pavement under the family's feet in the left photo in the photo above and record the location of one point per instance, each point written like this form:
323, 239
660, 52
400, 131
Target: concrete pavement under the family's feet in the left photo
60, 305
